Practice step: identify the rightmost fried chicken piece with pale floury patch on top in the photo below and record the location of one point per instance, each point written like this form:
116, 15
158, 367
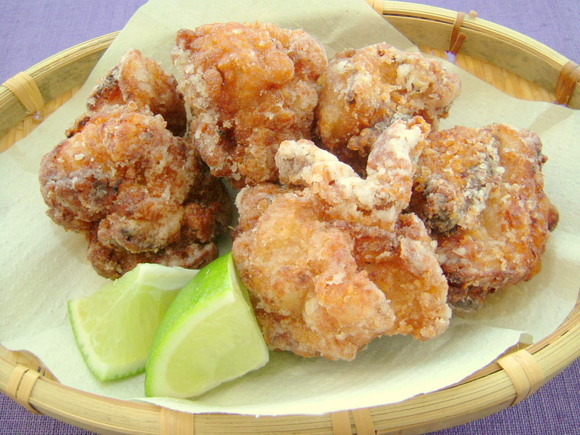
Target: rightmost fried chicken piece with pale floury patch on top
480, 192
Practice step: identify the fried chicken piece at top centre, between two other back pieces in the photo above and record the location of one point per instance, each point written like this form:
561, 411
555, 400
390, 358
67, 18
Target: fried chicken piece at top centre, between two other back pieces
248, 88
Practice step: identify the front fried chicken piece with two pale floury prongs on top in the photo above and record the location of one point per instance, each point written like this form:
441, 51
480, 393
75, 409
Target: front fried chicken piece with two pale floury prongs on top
326, 281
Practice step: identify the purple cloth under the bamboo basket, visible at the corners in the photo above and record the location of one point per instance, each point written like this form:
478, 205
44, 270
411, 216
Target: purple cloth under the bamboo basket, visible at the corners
32, 30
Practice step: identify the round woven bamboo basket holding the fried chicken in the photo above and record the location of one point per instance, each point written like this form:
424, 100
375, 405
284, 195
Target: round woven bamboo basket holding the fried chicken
512, 62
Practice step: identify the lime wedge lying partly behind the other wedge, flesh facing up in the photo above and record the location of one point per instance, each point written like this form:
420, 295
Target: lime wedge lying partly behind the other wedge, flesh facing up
114, 327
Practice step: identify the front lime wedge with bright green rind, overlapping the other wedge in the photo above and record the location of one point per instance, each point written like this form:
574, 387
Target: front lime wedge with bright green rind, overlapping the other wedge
208, 336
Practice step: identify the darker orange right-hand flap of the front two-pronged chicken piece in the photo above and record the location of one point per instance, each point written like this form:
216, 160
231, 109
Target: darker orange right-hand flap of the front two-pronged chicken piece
403, 264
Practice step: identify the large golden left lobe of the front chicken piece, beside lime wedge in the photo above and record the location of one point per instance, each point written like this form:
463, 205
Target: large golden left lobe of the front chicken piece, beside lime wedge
309, 295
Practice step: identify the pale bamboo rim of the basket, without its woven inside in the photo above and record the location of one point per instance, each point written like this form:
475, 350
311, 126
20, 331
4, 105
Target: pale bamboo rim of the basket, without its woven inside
508, 380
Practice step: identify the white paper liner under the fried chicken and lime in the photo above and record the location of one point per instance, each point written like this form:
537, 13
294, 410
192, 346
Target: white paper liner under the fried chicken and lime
42, 266
